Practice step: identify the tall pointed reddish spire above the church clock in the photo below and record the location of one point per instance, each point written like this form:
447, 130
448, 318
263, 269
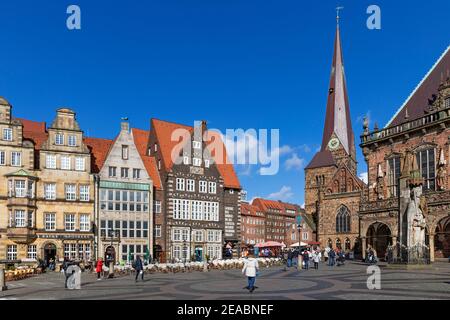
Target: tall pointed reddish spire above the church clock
337, 119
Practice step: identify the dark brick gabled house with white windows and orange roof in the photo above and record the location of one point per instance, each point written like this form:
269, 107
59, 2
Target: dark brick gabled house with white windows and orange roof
201, 193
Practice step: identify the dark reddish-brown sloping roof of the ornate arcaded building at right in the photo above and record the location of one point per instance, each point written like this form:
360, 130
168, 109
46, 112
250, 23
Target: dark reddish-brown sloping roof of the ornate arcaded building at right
417, 102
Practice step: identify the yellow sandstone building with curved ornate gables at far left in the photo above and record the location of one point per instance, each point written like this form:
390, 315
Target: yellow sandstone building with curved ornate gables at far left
48, 190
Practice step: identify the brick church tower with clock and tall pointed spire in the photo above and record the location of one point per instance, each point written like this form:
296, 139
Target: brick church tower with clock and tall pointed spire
331, 174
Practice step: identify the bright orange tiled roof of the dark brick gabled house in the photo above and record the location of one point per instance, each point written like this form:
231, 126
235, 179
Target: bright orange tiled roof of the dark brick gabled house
164, 130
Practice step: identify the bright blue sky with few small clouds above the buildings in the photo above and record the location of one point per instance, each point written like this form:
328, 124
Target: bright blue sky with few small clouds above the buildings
236, 63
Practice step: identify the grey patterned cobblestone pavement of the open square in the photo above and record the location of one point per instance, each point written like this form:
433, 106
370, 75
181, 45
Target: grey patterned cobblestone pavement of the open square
344, 282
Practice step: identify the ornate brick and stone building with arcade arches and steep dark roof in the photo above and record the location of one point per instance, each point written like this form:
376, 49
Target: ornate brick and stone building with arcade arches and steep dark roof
408, 169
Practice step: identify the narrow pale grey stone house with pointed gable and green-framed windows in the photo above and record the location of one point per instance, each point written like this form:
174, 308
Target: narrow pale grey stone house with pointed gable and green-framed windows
125, 206
